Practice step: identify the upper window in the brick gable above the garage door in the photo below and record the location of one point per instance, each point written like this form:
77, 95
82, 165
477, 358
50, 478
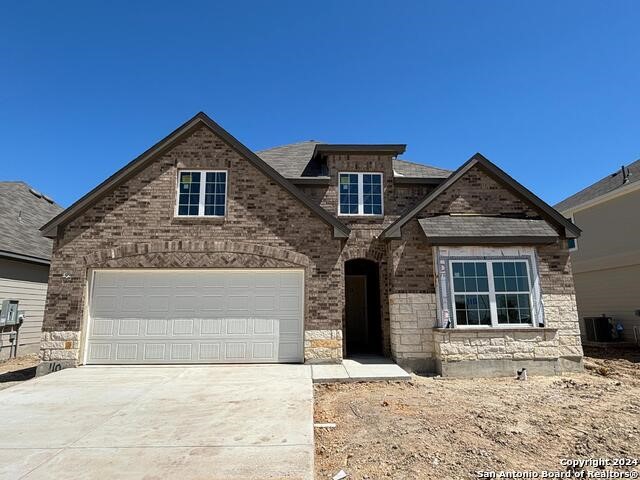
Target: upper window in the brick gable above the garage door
201, 193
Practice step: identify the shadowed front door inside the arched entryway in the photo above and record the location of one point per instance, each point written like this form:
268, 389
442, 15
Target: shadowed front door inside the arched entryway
357, 324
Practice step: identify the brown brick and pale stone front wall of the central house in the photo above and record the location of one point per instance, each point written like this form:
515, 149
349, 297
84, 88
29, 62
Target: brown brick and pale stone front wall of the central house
133, 226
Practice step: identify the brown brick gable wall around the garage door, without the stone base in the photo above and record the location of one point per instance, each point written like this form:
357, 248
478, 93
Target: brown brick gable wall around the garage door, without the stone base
135, 226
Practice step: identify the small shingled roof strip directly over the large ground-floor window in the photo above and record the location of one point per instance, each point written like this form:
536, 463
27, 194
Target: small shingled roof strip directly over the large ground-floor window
452, 226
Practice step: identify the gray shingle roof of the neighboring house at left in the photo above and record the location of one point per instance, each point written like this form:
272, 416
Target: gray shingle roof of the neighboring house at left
22, 211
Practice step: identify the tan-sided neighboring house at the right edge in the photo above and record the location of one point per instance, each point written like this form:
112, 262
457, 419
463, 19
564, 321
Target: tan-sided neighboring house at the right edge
606, 258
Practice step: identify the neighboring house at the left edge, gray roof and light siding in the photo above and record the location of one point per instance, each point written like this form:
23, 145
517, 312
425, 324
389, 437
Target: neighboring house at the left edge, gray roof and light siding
24, 259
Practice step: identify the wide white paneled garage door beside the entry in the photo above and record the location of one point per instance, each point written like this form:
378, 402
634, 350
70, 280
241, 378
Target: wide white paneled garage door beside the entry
195, 316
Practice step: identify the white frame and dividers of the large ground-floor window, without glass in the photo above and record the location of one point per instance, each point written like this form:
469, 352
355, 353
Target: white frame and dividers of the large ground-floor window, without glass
493, 306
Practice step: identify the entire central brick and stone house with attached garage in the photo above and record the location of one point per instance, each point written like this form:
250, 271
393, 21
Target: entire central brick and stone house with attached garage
202, 251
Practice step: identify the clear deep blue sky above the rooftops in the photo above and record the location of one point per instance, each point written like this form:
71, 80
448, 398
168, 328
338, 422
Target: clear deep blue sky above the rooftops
550, 91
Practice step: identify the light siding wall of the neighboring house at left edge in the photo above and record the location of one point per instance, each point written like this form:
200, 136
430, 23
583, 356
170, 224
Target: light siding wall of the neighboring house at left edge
27, 283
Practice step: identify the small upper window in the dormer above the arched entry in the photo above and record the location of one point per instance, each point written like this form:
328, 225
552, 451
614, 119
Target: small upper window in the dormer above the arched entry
360, 194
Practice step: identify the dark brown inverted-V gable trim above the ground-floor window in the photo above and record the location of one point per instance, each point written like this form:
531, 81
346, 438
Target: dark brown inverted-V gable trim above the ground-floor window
571, 231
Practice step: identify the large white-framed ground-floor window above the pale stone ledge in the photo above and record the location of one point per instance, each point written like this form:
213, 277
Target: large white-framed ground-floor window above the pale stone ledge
491, 293
